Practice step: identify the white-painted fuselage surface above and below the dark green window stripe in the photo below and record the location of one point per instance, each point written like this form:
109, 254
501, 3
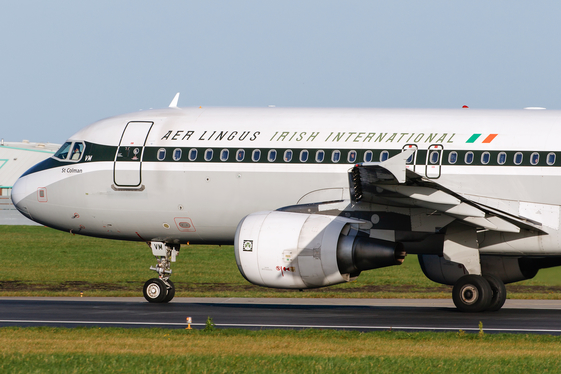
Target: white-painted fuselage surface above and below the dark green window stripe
215, 196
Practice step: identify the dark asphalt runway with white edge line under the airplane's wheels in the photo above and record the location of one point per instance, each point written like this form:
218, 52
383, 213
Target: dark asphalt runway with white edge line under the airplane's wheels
518, 316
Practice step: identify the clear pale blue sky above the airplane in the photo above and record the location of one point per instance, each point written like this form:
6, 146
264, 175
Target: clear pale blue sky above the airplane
66, 64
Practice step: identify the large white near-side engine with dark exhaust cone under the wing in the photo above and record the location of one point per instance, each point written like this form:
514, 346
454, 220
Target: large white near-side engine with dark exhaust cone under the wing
295, 250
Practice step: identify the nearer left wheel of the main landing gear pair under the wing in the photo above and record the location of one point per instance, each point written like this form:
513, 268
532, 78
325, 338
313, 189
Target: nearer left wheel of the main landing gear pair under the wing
472, 293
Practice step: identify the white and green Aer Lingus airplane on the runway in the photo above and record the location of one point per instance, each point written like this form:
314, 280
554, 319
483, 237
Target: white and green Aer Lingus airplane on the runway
312, 197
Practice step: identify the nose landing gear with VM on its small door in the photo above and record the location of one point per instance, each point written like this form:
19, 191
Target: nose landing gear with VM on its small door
161, 289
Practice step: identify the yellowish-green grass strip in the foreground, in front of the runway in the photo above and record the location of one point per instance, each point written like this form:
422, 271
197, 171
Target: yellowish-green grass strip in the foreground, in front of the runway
49, 350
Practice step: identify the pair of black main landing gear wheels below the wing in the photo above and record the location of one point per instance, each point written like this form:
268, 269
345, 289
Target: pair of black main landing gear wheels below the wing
476, 293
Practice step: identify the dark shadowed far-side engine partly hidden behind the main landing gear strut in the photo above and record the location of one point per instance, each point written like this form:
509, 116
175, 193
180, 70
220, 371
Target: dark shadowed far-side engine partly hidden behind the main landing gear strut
507, 269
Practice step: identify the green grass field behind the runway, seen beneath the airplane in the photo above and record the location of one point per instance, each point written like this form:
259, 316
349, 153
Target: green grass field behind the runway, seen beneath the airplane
38, 261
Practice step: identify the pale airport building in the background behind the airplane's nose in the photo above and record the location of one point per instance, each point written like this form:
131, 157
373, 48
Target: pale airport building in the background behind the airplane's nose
15, 159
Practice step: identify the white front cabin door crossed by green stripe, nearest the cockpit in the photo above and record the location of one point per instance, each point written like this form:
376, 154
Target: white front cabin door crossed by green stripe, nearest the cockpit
127, 171
